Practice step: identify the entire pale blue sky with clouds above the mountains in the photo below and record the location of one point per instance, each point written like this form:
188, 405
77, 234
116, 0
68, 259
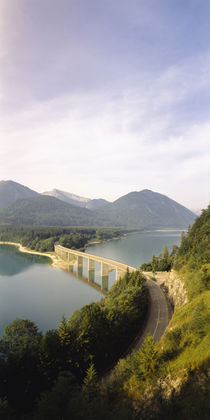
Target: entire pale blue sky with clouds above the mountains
103, 97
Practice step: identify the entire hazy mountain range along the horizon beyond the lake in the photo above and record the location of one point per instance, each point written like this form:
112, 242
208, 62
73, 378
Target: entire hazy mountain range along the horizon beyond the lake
142, 210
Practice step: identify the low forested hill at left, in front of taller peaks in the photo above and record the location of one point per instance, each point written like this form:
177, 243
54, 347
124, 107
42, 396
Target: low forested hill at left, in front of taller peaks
45, 211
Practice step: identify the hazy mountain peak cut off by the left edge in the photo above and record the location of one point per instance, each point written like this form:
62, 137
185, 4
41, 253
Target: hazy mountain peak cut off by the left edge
11, 191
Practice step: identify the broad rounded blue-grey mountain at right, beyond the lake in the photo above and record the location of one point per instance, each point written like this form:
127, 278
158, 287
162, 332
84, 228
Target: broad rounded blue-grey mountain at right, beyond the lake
147, 209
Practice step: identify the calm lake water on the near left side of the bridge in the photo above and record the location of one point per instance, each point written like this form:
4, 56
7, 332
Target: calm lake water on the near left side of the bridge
31, 288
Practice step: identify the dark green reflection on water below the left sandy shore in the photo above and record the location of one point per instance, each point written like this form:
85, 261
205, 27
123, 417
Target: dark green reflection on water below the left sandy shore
13, 262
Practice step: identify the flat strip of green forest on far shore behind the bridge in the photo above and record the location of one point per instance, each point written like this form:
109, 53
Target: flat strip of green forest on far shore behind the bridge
43, 239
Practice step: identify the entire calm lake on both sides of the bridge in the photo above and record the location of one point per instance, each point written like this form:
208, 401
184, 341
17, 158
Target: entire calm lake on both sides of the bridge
31, 288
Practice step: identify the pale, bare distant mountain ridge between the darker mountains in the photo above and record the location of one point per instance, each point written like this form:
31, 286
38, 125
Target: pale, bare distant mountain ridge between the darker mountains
76, 200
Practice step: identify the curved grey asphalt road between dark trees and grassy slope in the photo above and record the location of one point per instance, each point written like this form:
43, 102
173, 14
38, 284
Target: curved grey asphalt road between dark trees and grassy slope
158, 316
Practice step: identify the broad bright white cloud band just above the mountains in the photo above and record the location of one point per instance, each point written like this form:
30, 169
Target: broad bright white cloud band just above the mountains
109, 142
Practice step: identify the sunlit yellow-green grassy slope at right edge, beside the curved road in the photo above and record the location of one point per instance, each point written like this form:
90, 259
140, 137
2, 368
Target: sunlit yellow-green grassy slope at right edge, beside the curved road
186, 343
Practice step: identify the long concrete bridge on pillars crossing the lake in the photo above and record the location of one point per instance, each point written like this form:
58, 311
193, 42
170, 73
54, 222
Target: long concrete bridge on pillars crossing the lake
75, 258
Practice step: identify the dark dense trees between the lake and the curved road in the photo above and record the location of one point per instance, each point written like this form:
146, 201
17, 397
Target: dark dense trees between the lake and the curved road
33, 365
